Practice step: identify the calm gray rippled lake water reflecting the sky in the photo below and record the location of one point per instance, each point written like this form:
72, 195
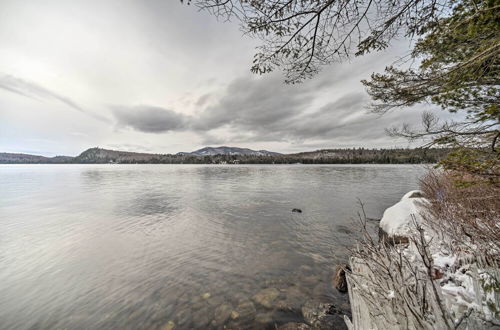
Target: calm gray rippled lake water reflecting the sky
137, 246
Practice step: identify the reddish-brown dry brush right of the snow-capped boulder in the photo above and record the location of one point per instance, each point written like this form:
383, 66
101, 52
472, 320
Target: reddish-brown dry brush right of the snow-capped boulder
468, 215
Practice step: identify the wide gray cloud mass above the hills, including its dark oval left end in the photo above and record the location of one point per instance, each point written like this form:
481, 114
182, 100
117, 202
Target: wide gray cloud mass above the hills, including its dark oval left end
266, 110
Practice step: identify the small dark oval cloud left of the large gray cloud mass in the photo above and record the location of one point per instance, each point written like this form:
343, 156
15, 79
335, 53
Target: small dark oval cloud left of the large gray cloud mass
150, 119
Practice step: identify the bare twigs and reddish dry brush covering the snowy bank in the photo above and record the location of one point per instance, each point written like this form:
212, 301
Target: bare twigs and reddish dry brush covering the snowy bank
400, 286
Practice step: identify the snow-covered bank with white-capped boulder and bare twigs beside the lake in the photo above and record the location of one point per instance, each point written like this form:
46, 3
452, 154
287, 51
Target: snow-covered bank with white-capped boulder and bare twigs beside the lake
419, 283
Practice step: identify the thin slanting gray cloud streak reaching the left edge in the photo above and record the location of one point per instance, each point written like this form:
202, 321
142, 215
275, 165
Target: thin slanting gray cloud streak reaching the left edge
35, 91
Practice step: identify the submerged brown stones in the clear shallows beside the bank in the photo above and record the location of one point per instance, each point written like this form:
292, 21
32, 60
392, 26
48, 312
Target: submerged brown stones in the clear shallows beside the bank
283, 305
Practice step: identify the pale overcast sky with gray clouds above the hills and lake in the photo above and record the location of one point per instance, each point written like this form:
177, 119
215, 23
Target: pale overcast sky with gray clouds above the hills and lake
158, 76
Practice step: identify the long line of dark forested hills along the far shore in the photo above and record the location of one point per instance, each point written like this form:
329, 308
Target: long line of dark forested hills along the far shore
327, 156
